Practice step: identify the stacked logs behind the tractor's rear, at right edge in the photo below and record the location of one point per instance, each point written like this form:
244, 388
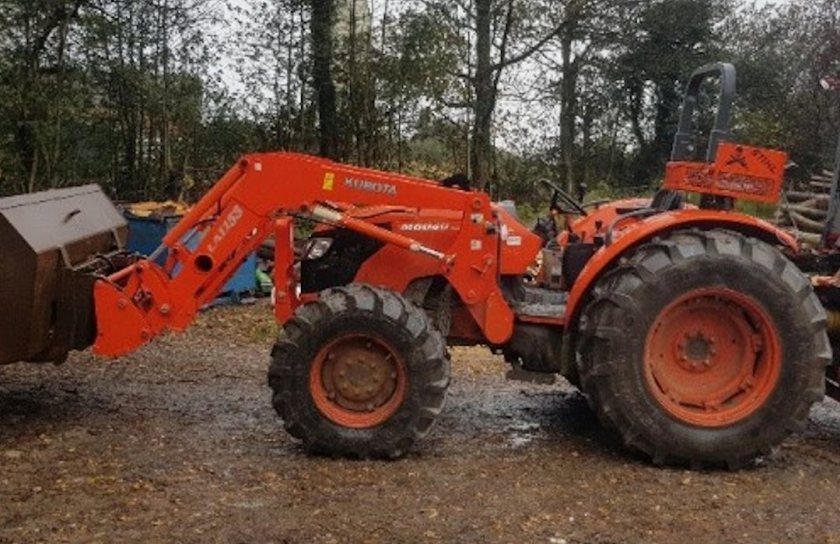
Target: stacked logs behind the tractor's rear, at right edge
803, 211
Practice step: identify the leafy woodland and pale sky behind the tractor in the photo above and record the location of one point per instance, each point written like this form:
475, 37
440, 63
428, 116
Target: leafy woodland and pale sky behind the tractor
157, 98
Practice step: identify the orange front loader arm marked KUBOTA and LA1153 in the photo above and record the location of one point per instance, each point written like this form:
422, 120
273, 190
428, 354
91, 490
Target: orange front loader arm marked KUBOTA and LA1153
261, 195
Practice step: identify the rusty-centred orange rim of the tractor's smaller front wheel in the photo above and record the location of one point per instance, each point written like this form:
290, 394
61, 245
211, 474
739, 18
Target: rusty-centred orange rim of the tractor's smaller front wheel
357, 381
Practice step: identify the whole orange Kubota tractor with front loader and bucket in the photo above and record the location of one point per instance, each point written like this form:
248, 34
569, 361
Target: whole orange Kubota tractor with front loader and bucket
689, 327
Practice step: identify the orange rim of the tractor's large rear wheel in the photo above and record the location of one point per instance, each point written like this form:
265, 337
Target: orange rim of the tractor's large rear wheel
713, 357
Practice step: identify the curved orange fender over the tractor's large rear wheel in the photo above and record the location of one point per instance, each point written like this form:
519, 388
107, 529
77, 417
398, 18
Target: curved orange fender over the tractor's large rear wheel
658, 225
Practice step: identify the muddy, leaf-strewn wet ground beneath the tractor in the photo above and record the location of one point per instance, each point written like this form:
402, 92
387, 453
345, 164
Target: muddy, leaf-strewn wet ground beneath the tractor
179, 443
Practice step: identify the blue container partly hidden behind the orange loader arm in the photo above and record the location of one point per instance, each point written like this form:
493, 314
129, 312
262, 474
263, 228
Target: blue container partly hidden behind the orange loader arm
145, 234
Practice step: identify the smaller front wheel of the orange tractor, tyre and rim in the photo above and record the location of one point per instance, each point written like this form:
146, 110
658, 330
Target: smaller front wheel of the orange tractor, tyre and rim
360, 372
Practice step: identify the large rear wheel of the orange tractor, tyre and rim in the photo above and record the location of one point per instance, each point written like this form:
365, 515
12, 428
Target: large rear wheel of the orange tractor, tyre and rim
705, 348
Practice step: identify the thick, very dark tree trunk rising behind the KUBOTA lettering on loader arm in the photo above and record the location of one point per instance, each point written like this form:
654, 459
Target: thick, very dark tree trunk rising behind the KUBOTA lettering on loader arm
323, 12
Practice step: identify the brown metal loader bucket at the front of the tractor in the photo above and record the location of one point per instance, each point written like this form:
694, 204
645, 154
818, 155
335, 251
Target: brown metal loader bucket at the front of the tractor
51, 246
